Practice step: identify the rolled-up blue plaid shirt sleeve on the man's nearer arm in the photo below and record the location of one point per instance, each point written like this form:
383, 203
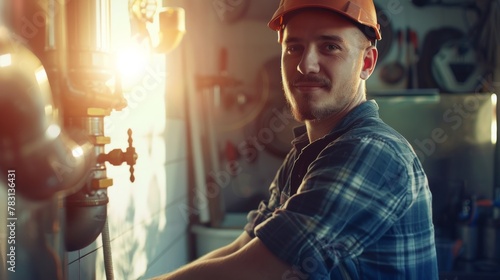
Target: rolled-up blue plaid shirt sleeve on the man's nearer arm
350, 196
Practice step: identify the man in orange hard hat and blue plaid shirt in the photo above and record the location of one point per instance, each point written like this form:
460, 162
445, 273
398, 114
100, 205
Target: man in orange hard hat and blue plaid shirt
351, 200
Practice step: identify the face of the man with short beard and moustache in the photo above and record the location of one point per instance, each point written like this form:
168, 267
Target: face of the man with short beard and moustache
323, 63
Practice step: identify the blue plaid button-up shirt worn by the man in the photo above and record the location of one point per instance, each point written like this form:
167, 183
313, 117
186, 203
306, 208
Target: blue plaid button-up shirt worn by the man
354, 204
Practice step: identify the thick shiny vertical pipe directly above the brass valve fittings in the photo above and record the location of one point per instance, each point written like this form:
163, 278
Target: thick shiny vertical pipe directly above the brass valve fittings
90, 63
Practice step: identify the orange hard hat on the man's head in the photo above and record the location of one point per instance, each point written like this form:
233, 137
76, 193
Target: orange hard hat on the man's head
360, 11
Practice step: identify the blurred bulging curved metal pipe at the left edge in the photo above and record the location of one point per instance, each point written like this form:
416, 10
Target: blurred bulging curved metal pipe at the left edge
49, 159
